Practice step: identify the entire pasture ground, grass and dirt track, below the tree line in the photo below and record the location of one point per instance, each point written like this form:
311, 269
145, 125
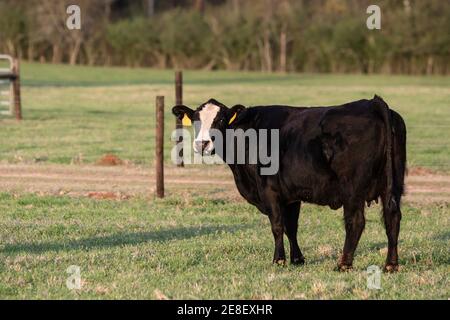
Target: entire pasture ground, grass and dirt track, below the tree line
61, 205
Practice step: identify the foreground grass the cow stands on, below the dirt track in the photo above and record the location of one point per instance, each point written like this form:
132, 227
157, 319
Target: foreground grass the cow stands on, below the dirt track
195, 248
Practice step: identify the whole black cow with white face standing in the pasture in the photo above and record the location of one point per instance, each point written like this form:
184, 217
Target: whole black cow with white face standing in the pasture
333, 156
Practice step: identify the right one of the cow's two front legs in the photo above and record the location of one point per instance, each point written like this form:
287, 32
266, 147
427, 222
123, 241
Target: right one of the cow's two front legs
291, 214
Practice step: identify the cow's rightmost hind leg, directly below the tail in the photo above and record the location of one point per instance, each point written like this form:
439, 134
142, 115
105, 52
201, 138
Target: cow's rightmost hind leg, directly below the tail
392, 223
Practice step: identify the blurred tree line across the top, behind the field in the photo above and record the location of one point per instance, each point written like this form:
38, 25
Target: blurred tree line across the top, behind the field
266, 35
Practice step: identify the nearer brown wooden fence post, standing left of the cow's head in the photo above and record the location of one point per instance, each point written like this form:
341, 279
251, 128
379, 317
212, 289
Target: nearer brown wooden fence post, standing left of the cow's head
159, 150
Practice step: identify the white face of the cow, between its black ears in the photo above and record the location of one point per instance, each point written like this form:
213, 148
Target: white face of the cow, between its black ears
203, 141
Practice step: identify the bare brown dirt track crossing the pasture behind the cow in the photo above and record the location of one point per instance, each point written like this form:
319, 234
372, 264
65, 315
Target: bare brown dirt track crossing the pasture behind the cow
120, 183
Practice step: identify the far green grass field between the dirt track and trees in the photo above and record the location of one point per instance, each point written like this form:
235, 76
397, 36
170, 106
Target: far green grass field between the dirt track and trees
84, 112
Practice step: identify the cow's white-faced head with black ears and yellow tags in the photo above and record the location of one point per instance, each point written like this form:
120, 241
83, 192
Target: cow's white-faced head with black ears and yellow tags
211, 115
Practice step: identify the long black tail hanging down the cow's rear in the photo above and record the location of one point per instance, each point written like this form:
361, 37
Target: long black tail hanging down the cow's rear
395, 155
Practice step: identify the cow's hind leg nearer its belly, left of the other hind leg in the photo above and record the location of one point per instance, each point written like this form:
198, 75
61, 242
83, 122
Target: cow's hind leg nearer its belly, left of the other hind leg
354, 226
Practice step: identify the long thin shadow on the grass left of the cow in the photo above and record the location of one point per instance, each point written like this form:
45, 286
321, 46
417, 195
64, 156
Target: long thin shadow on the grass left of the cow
122, 239
